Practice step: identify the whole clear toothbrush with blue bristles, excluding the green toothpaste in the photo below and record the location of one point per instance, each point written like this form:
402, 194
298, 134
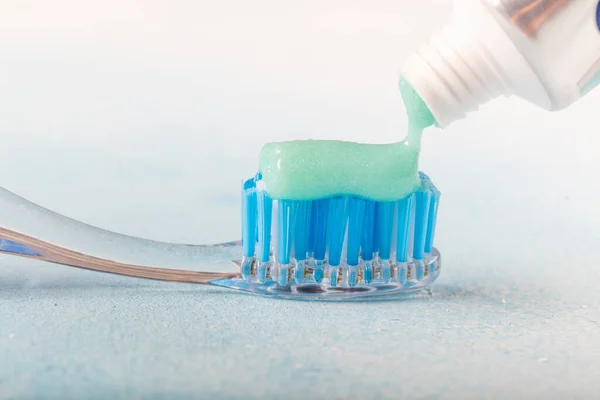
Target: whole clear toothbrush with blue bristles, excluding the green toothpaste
334, 248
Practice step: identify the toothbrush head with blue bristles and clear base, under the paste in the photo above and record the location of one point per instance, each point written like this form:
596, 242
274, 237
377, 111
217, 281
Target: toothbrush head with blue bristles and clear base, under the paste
337, 248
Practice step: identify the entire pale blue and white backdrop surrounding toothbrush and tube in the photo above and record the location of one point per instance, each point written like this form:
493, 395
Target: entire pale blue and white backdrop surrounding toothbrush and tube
143, 118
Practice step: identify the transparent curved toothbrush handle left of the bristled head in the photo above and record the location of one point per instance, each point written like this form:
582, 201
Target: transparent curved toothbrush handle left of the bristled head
28, 230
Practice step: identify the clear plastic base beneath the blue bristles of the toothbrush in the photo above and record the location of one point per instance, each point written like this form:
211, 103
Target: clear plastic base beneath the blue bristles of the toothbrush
312, 280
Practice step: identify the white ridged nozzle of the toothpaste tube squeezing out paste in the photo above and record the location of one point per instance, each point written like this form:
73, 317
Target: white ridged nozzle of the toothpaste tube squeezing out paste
467, 64
